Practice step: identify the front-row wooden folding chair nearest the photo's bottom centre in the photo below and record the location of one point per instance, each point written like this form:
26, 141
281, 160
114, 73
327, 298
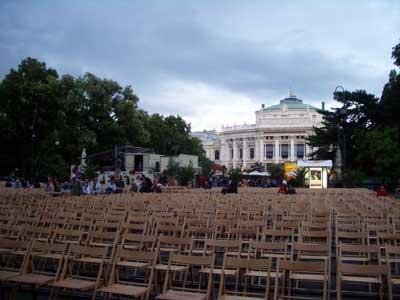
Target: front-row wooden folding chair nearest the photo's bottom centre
188, 289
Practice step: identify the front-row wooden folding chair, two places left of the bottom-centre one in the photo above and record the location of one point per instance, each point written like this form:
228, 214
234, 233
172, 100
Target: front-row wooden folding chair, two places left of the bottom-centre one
83, 270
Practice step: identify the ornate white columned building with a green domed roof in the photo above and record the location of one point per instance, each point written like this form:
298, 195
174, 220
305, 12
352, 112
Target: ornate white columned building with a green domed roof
278, 136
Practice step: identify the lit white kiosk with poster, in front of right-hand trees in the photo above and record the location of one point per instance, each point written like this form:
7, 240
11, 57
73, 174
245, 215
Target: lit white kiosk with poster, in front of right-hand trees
316, 172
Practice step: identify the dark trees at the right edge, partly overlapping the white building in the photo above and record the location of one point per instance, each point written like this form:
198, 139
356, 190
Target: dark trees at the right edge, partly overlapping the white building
367, 130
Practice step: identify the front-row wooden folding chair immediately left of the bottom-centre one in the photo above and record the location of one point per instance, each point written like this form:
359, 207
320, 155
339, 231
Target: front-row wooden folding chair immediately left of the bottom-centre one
125, 279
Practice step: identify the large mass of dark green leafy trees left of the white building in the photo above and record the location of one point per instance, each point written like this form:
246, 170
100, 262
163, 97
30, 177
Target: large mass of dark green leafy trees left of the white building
47, 119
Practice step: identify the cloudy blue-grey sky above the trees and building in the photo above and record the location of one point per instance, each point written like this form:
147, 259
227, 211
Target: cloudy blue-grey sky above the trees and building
212, 62
